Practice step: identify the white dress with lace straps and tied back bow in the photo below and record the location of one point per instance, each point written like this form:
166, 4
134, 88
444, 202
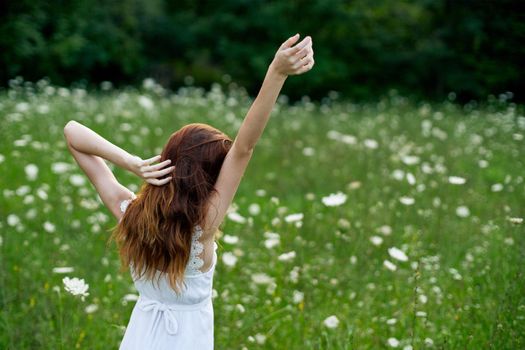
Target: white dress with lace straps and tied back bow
163, 320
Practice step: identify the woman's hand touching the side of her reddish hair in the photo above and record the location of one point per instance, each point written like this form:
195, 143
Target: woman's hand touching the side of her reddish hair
149, 172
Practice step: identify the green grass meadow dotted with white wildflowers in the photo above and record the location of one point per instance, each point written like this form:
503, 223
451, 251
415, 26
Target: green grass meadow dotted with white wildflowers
419, 246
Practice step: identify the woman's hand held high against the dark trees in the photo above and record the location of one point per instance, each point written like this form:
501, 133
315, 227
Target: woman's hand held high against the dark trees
293, 60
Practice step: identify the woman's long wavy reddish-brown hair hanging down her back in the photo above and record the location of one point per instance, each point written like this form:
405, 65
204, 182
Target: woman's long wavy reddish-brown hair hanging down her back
156, 230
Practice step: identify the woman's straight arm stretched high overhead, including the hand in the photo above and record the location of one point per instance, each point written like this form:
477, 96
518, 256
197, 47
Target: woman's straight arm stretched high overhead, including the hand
289, 60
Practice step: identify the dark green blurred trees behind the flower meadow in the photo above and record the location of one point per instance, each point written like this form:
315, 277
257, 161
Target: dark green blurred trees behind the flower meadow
423, 48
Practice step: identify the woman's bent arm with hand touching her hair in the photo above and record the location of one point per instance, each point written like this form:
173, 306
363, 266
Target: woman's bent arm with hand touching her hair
90, 149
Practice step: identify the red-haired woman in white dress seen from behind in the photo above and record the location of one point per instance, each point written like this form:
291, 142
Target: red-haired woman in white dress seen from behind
166, 233
